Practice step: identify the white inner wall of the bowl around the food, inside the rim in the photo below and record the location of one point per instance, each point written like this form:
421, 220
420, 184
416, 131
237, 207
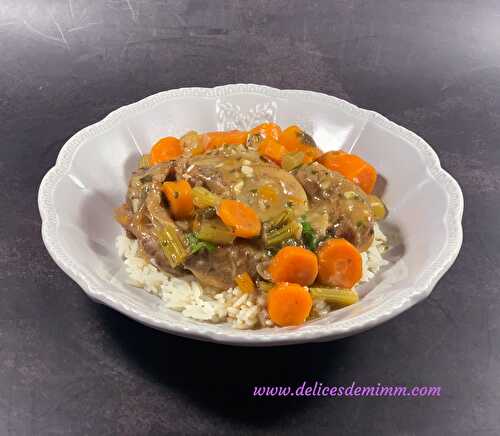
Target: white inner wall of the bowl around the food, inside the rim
97, 182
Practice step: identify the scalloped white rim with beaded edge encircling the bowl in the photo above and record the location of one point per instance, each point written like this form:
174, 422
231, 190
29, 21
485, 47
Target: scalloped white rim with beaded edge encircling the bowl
336, 330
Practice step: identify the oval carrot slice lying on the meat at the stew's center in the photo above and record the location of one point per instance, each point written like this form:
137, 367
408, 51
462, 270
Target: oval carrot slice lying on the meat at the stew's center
239, 217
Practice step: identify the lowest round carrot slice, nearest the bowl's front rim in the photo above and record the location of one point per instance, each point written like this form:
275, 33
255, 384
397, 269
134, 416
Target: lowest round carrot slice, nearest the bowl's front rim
288, 304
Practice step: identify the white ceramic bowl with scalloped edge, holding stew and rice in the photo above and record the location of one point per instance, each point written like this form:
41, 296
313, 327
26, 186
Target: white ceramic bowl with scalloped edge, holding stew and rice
77, 197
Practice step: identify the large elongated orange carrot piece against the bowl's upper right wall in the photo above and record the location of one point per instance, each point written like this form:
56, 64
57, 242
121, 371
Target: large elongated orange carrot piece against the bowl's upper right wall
352, 167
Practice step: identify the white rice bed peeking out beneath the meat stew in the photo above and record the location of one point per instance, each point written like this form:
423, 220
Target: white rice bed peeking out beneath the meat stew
240, 310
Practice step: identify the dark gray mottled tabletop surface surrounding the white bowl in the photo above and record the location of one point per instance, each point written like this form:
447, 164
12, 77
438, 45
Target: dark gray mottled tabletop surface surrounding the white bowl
69, 366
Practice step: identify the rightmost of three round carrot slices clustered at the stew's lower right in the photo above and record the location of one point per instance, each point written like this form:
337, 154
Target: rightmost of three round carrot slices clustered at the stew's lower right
339, 263
